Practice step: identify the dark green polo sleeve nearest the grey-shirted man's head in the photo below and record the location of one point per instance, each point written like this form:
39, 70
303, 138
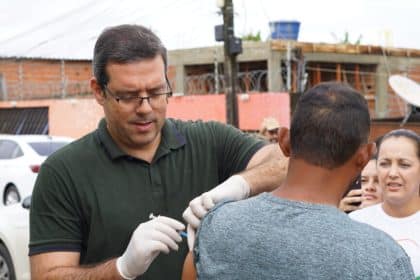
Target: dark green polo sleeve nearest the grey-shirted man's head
234, 148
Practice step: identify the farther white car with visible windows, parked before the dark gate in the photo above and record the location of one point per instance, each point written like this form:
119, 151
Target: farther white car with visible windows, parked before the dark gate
21, 157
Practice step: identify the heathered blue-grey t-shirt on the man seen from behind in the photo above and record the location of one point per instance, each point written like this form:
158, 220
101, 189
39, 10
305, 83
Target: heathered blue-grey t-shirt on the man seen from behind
266, 237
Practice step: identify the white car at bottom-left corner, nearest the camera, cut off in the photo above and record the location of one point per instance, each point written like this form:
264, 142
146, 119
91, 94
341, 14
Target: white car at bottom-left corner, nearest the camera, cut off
14, 240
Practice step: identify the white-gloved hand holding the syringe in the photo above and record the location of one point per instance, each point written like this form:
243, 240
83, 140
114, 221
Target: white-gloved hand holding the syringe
148, 240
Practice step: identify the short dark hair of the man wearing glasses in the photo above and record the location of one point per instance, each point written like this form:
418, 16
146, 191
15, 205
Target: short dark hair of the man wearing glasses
124, 44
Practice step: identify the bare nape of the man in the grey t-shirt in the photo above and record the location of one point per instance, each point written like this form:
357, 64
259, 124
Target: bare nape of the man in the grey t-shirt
310, 183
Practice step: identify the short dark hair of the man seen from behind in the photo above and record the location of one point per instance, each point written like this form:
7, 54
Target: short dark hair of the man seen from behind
330, 123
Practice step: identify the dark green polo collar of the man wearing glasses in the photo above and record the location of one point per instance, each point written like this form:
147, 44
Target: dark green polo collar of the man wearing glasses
172, 139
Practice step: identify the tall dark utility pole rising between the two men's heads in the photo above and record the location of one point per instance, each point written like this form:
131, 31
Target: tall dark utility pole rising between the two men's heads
230, 65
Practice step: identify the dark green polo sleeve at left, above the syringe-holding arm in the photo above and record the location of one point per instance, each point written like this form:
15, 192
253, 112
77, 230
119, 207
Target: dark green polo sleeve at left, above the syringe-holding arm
55, 224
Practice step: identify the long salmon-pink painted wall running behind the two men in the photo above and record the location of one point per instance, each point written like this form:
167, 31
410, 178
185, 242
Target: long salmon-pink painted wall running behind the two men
78, 116
